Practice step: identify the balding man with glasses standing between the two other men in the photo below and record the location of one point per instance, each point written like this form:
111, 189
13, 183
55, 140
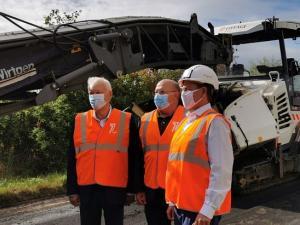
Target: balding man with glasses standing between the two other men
156, 131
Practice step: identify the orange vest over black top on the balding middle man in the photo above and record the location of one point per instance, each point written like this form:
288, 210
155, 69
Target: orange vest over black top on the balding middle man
156, 146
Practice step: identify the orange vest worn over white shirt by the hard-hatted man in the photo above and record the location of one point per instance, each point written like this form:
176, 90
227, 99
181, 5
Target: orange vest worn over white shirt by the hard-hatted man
188, 168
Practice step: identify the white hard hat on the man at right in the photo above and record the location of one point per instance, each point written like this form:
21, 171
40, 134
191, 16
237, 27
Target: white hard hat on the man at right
201, 74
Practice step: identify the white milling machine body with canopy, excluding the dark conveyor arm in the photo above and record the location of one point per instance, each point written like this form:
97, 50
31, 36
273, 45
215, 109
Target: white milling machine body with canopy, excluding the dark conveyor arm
264, 108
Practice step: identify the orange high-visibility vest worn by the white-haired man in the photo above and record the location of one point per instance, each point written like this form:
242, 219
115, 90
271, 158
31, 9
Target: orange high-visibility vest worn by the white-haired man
101, 153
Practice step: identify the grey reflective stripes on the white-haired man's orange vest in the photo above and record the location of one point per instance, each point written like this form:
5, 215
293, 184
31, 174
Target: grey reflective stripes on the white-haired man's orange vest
98, 147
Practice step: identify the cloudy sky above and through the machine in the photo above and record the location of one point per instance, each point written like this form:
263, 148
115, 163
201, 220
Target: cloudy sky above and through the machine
219, 12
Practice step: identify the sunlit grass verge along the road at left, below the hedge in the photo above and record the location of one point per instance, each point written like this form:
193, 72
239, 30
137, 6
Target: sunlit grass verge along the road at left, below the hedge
14, 191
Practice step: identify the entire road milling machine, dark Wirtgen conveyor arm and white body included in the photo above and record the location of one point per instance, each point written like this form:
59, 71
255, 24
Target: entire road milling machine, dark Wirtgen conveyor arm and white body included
37, 65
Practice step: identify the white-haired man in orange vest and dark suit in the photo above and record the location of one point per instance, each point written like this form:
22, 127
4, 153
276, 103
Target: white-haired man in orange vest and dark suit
104, 160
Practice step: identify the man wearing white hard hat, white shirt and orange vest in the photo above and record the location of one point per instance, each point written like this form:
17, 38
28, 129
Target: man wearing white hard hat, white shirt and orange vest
199, 170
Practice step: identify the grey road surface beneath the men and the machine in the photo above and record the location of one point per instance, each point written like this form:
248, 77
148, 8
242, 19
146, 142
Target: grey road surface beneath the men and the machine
279, 205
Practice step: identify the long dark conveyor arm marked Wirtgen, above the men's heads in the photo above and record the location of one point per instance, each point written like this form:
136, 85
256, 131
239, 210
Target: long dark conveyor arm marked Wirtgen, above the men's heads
105, 48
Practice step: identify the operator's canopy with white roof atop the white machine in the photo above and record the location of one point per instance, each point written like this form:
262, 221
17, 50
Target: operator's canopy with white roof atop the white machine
266, 35
